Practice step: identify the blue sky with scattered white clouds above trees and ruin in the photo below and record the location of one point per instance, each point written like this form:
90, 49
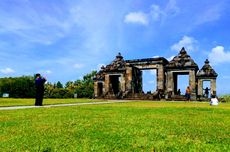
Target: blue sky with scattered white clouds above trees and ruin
65, 39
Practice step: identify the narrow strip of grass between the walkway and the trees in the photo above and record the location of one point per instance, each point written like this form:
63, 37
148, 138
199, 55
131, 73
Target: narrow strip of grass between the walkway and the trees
4, 102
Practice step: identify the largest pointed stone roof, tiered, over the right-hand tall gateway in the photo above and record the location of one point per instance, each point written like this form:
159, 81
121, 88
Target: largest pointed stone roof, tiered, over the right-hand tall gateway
182, 60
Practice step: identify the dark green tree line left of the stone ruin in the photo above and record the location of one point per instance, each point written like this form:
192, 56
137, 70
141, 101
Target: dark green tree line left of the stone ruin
24, 87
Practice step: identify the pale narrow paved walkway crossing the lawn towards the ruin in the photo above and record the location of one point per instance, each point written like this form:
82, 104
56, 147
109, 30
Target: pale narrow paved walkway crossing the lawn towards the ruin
65, 105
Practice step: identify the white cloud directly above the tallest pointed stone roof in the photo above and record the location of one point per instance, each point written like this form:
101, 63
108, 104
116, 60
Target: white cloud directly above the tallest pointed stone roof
189, 43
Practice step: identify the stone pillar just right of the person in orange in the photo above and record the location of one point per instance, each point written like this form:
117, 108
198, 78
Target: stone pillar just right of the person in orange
192, 84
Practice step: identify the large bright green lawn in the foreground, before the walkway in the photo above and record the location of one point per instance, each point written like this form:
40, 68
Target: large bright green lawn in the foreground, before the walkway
133, 126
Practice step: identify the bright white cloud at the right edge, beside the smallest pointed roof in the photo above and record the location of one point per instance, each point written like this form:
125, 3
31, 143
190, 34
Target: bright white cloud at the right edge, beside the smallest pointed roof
219, 55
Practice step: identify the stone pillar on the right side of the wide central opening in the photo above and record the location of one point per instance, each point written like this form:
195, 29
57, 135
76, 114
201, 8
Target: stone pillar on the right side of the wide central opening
160, 77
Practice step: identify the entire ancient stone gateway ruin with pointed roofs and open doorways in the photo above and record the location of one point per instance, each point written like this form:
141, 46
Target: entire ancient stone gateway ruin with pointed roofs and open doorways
123, 78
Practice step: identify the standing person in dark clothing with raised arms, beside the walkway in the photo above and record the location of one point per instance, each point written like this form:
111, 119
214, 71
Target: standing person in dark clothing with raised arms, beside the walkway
39, 84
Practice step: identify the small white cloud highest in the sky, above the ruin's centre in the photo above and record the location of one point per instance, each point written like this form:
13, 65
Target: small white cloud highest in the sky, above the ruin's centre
137, 18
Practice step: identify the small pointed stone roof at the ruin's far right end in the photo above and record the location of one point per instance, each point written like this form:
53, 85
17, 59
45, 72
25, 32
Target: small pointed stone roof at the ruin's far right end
207, 71
